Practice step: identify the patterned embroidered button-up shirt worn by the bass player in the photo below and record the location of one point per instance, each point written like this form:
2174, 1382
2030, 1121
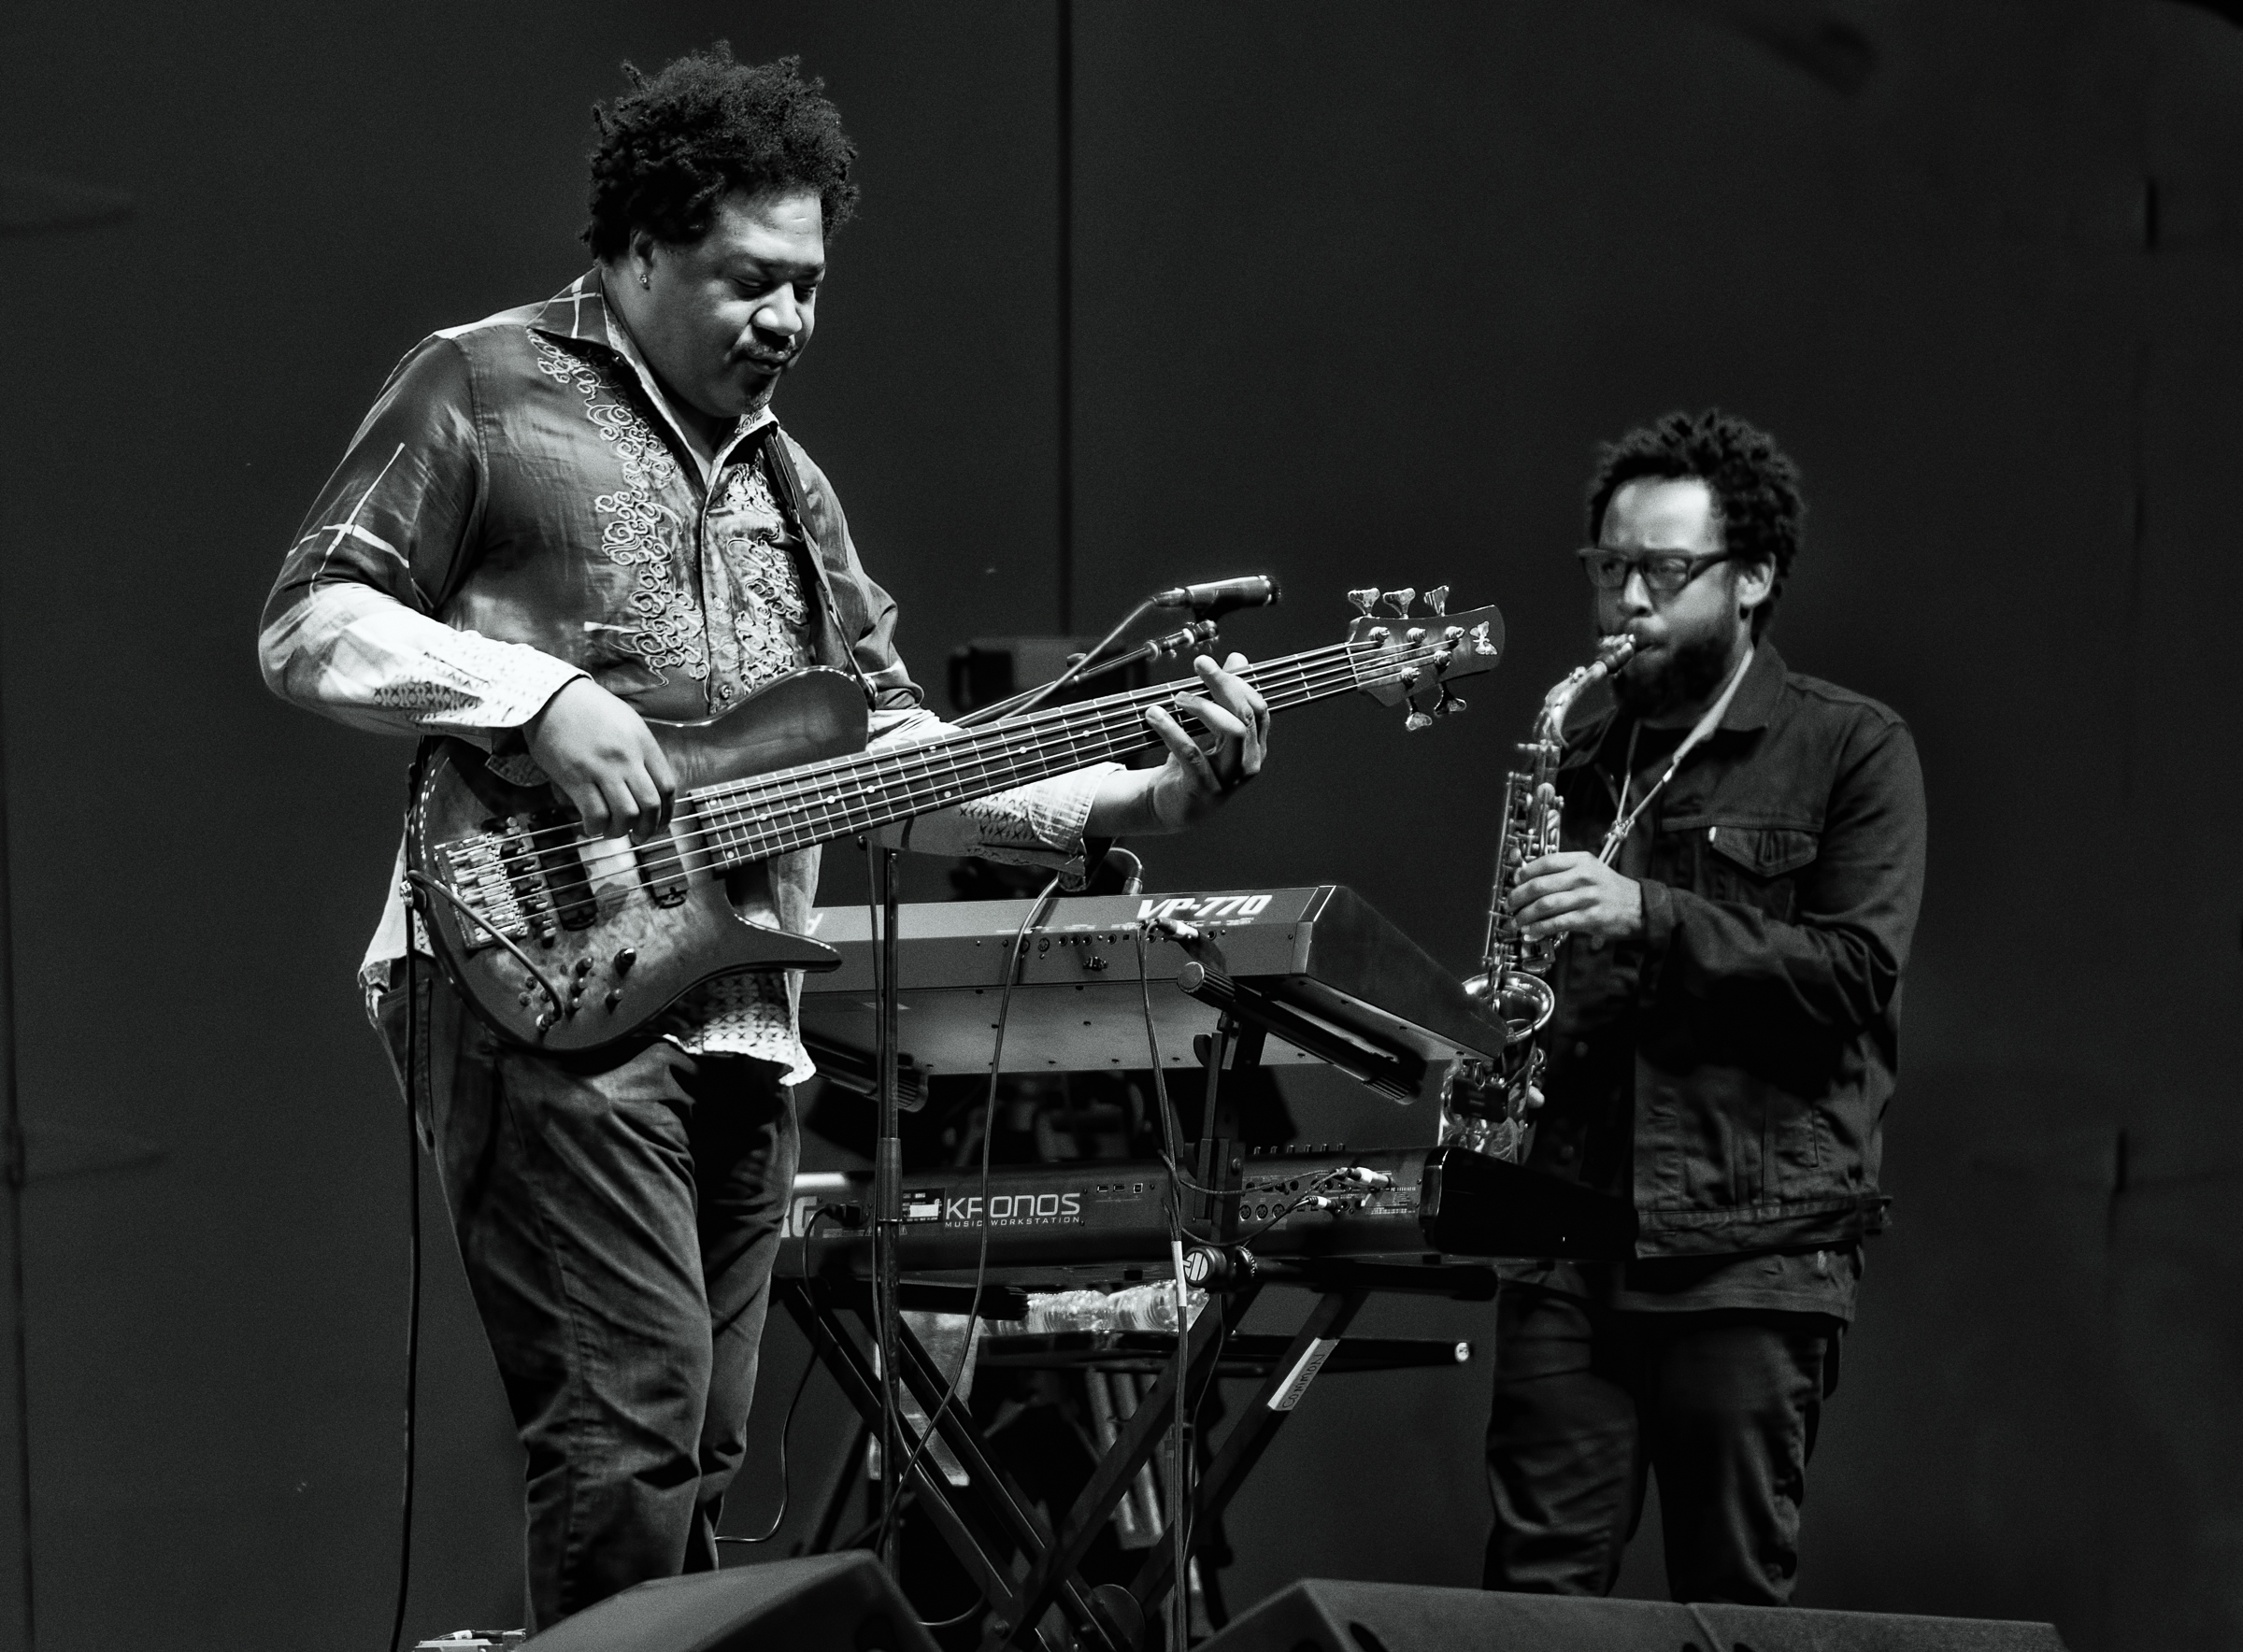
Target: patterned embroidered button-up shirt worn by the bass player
519, 510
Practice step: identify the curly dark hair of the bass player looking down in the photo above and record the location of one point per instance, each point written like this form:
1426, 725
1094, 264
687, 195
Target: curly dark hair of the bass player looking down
705, 127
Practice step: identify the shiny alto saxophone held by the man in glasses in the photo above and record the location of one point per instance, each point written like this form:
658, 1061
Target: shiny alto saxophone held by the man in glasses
1484, 1104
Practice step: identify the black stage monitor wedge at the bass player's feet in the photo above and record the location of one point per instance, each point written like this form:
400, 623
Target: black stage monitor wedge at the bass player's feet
820, 1604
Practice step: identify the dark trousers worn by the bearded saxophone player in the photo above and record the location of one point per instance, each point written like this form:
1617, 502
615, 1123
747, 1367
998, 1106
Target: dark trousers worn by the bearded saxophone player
1591, 1402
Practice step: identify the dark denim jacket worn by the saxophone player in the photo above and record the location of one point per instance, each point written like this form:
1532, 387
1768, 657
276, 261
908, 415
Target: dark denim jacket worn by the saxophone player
1730, 1068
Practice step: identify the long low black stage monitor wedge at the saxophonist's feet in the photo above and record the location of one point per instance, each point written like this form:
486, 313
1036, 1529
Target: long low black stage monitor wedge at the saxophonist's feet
1392, 1617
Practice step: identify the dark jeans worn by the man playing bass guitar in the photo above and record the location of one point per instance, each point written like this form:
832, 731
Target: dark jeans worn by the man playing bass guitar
618, 1223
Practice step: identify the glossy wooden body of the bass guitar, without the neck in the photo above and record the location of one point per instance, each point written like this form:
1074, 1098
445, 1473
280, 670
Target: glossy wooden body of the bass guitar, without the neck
566, 945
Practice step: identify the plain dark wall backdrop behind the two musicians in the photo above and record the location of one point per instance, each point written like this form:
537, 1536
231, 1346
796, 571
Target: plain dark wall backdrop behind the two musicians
1356, 290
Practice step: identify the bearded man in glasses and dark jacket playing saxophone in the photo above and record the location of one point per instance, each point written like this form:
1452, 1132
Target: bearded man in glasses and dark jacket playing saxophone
1735, 891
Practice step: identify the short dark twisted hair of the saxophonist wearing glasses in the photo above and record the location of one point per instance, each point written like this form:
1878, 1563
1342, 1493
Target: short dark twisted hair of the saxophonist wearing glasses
1755, 488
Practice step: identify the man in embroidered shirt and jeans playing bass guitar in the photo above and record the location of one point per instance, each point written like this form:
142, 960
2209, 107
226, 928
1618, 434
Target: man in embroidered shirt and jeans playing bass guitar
551, 526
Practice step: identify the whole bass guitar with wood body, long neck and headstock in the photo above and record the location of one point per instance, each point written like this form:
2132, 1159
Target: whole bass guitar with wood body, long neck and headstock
566, 945
